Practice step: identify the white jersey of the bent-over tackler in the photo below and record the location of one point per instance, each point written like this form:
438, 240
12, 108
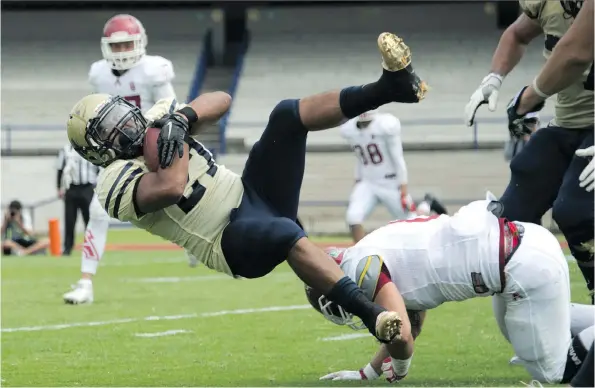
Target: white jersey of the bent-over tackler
432, 260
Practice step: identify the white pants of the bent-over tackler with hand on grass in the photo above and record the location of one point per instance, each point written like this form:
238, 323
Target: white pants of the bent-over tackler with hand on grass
533, 311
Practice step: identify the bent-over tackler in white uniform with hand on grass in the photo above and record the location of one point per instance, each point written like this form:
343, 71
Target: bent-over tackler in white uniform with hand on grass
411, 266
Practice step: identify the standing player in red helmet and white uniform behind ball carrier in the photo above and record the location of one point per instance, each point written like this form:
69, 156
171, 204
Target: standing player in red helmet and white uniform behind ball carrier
141, 79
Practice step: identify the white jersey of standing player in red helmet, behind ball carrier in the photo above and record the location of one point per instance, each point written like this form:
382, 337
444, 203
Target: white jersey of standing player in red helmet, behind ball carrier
143, 85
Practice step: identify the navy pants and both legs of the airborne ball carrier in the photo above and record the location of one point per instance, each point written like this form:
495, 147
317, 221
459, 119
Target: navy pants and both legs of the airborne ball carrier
275, 170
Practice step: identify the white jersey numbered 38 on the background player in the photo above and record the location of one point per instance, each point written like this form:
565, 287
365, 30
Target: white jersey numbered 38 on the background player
378, 148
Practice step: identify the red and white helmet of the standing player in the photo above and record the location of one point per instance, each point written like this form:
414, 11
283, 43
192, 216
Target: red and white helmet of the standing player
122, 29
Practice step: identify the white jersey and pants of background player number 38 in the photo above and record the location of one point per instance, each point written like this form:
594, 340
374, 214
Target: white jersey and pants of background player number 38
381, 167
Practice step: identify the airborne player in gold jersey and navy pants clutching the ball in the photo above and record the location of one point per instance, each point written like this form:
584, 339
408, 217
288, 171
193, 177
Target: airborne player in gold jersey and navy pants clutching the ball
240, 225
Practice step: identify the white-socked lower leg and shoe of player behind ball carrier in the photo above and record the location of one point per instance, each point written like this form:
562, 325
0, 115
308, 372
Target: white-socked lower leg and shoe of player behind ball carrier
93, 248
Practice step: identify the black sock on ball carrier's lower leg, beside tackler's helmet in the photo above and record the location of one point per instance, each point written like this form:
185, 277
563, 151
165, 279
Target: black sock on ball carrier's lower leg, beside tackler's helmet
347, 294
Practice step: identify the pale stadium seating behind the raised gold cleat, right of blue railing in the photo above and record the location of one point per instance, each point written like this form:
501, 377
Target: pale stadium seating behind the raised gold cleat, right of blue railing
297, 52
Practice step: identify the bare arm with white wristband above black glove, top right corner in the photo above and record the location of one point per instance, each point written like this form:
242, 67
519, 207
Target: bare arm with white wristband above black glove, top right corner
572, 55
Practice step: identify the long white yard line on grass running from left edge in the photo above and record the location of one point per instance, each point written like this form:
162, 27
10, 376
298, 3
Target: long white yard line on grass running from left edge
157, 318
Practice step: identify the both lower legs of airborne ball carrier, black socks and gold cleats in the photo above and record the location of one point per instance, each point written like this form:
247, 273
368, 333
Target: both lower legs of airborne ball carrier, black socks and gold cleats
398, 83
